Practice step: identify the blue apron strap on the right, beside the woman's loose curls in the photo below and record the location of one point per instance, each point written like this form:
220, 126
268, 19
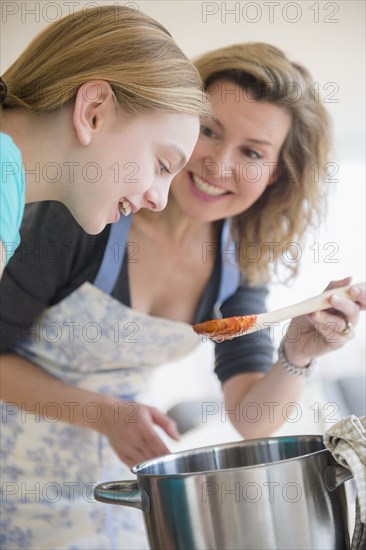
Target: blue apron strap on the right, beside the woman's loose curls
230, 269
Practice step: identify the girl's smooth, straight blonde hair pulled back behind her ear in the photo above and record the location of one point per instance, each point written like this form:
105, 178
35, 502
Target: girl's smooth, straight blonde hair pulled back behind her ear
134, 53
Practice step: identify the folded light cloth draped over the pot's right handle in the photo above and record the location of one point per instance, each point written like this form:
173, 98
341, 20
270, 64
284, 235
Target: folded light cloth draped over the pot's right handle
347, 443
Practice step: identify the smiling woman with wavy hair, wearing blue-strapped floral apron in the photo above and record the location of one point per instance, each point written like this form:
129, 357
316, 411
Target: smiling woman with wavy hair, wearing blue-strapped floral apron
86, 318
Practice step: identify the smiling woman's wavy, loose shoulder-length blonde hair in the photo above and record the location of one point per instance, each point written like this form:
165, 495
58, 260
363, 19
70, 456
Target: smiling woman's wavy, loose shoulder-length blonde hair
296, 200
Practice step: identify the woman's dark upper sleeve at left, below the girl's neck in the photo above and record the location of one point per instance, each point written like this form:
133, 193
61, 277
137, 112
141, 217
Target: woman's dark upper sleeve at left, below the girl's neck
43, 269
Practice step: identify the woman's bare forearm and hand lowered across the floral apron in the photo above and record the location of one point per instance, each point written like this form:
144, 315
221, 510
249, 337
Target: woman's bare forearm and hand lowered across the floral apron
129, 426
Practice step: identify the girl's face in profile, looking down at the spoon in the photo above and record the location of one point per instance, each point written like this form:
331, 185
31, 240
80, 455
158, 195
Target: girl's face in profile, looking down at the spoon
129, 164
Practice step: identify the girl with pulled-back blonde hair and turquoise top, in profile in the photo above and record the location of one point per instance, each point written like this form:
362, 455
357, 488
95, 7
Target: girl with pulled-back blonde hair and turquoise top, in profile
99, 112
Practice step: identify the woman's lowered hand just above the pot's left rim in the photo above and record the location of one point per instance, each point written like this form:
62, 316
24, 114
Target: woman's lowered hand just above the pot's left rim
129, 426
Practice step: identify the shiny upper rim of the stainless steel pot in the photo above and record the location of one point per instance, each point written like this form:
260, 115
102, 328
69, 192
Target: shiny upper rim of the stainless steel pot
246, 442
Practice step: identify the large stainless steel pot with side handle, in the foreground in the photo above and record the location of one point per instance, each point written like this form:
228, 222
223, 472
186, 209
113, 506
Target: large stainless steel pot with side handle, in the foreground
274, 493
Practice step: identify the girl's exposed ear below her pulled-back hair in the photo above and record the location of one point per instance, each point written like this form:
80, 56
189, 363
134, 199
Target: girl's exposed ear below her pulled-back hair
92, 102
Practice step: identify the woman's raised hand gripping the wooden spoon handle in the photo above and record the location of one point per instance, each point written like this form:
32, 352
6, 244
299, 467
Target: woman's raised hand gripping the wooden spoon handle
313, 335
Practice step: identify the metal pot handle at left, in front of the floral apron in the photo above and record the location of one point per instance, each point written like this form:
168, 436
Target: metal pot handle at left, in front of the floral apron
125, 493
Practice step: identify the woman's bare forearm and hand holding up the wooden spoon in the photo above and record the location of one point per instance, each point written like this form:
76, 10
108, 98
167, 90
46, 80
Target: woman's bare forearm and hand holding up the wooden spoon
257, 400
